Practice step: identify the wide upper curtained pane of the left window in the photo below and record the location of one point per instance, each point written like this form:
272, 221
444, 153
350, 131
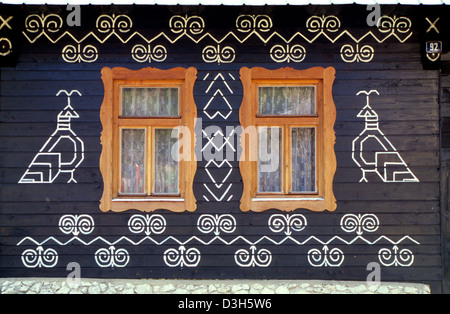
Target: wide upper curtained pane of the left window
149, 102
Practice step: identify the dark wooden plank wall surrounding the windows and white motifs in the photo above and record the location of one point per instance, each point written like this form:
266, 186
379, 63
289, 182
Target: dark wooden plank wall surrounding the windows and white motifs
408, 214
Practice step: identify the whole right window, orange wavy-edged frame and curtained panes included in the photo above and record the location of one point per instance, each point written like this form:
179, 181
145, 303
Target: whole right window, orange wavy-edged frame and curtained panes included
288, 159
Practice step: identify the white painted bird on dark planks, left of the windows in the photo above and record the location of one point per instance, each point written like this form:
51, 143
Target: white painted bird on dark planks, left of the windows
63, 152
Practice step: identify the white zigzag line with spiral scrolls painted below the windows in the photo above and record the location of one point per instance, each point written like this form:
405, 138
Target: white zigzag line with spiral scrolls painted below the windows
329, 253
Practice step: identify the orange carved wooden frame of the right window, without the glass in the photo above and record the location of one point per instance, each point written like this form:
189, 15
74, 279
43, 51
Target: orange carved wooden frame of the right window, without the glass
321, 200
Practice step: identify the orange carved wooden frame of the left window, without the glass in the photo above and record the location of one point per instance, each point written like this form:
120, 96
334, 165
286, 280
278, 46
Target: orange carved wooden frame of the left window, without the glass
113, 80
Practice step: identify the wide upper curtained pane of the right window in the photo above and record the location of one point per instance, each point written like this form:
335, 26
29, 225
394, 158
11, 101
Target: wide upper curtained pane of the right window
287, 100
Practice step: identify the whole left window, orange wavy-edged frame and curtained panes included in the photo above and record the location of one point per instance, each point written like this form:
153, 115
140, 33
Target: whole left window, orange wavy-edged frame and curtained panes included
148, 159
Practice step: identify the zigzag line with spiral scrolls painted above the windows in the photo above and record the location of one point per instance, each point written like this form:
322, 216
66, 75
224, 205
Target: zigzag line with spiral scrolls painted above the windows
194, 28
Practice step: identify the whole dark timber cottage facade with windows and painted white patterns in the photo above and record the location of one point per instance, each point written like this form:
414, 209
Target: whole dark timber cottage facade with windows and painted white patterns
354, 115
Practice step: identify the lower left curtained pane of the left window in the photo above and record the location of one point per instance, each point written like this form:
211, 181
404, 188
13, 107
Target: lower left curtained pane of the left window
132, 161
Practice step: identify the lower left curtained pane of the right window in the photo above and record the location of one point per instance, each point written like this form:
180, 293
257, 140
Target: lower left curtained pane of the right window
270, 143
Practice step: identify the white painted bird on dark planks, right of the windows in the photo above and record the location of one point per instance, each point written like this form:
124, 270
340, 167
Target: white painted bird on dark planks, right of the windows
374, 153
